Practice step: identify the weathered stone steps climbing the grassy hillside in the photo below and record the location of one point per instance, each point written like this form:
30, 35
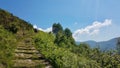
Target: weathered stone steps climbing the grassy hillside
26, 56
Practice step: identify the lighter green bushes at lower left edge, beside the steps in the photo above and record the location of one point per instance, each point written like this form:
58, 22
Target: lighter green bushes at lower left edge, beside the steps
7, 46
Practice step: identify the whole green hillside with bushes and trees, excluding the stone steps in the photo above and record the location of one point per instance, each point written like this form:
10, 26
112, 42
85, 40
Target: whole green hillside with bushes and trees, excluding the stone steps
57, 47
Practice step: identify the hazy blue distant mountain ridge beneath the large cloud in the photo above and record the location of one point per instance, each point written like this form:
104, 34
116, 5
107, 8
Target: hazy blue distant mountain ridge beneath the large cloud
104, 45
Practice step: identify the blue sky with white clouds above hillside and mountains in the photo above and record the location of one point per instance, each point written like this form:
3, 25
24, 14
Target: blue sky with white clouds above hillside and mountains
96, 20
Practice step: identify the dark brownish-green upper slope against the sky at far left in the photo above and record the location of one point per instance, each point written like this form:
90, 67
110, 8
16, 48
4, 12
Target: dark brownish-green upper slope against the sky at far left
13, 23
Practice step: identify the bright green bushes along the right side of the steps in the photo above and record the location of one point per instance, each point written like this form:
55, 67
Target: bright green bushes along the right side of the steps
60, 57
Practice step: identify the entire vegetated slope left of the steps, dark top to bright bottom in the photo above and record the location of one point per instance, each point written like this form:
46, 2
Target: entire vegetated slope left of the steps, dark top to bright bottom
12, 29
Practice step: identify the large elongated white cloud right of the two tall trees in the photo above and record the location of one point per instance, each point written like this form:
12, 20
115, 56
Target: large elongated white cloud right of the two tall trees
91, 30
